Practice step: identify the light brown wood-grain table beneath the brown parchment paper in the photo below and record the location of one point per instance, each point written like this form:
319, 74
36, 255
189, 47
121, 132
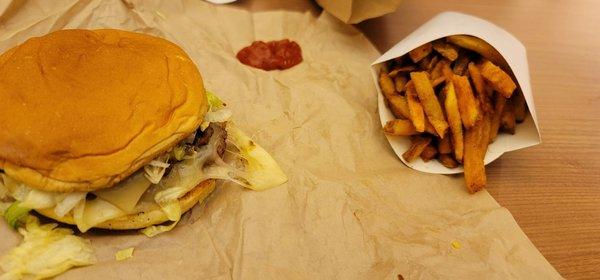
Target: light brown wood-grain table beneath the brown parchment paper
553, 189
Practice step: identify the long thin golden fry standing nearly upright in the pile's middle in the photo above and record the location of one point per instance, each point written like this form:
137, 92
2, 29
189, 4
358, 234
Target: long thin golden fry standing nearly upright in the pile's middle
454, 119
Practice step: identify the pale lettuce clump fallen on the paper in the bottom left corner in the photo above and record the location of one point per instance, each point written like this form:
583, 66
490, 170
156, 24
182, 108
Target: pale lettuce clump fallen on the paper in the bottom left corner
45, 251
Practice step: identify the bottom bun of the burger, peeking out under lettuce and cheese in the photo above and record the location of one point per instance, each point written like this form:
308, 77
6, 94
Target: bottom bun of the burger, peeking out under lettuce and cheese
144, 219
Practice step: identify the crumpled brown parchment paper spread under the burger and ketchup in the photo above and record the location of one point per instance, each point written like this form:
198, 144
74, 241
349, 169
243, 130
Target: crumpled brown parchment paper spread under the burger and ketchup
351, 209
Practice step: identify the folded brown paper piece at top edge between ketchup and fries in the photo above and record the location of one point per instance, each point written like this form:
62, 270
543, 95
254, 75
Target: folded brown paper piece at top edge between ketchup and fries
355, 11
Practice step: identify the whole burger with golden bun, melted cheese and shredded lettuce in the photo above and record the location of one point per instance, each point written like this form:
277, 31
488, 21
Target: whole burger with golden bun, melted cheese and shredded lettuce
113, 129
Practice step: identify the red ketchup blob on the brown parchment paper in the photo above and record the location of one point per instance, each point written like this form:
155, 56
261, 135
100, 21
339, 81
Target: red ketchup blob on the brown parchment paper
273, 55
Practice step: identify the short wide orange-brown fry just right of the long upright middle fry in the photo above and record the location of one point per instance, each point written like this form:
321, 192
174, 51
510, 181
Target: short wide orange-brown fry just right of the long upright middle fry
467, 105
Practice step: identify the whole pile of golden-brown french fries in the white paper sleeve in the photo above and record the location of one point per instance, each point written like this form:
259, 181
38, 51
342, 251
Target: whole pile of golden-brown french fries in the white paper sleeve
478, 99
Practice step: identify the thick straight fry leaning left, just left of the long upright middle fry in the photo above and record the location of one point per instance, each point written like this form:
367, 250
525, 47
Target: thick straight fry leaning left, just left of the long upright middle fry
430, 103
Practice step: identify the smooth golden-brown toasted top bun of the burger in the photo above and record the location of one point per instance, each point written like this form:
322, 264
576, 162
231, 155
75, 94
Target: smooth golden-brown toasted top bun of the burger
81, 110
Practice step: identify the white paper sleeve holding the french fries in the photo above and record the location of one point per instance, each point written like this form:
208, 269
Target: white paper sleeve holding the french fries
452, 23
